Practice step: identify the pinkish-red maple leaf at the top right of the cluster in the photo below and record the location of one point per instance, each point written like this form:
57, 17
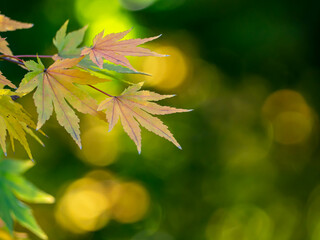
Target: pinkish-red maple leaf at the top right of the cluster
110, 48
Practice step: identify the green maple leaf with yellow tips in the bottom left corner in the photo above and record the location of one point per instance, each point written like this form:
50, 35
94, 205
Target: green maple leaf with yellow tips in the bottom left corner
13, 188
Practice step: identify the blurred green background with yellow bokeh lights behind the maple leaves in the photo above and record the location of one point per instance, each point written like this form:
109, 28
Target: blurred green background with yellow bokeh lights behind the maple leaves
250, 164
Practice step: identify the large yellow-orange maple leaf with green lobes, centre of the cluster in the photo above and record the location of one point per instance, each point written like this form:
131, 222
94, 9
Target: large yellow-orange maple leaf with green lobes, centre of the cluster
55, 87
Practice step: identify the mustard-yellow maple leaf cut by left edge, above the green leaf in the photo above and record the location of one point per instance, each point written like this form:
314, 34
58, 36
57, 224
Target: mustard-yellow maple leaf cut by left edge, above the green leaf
15, 121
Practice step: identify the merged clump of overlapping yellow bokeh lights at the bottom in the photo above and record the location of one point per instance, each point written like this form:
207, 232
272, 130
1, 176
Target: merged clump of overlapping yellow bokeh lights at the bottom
89, 203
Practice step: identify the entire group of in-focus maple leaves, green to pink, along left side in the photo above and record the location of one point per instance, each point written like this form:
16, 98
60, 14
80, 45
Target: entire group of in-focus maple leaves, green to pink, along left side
58, 88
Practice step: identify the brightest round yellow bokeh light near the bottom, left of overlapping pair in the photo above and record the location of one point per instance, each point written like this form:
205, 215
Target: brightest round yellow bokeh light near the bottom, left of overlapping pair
84, 207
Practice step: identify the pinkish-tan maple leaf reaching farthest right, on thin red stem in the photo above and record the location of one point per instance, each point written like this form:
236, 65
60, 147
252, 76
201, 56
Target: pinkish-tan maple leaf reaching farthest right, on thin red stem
133, 107
